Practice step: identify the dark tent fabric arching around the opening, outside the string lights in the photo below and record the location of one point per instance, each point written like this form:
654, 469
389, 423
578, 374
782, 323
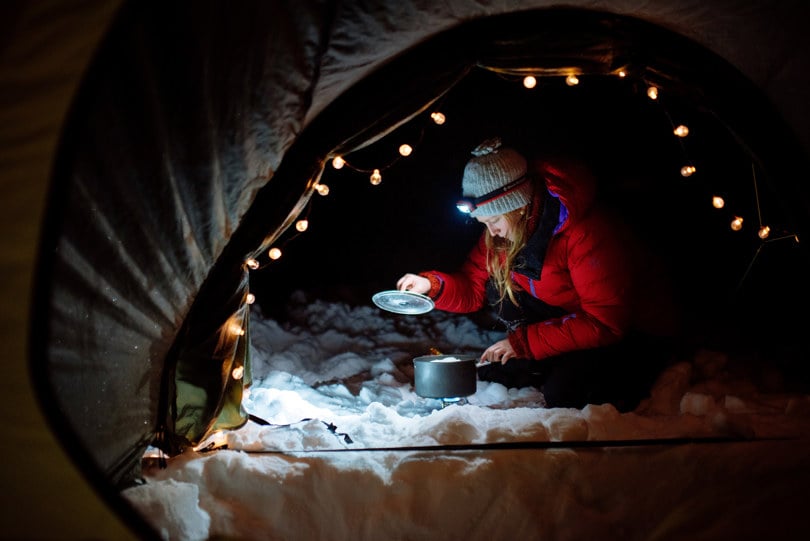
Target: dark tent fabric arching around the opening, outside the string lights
201, 131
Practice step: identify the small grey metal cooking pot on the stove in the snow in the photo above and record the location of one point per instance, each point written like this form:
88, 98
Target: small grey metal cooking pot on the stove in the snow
444, 376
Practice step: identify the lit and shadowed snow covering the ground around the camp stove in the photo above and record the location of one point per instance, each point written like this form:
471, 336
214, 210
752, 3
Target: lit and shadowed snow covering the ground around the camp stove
730, 458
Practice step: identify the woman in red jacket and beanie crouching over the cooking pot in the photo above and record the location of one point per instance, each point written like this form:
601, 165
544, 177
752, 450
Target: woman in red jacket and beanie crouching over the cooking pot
578, 297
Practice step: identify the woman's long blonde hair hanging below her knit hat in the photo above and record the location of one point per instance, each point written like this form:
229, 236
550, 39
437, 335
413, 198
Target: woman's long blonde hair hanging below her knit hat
501, 252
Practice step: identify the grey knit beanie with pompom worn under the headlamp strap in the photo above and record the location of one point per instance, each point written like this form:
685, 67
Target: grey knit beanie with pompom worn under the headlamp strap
491, 168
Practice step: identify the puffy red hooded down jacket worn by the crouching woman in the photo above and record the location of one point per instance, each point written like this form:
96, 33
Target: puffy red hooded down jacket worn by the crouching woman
592, 268
